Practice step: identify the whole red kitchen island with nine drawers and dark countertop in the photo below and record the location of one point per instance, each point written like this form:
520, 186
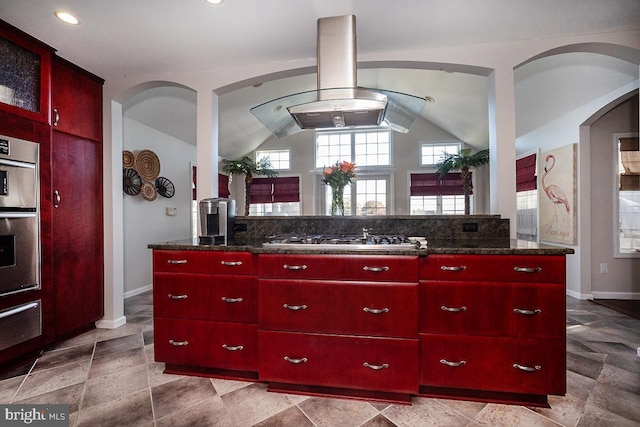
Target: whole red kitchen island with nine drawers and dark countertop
482, 320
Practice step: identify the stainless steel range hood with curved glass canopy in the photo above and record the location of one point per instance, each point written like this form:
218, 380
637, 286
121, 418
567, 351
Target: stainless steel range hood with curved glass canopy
338, 102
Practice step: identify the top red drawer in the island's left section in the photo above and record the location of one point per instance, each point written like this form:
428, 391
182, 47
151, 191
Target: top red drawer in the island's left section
215, 262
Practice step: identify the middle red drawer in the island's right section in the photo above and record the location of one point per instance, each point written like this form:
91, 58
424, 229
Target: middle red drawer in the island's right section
535, 310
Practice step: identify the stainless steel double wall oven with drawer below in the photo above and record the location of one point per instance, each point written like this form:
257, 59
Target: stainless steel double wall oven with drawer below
19, 239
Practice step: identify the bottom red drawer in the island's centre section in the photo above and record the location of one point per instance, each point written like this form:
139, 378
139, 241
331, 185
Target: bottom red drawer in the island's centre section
339, 361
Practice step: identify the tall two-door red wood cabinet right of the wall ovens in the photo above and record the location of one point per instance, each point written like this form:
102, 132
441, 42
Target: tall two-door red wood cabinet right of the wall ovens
76, 199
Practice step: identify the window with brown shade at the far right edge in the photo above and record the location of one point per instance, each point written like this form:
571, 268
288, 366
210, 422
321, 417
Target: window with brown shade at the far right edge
627, 159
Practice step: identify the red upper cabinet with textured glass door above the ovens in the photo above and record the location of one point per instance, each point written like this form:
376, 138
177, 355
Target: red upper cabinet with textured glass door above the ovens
25, 74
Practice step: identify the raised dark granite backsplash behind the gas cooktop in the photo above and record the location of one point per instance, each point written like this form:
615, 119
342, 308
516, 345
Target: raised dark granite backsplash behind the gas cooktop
437, 227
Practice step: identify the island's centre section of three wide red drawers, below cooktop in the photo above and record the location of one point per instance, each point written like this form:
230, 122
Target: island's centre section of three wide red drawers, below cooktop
337, 321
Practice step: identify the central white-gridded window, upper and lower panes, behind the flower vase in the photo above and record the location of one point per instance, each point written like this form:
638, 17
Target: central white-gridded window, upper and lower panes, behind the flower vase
370, 150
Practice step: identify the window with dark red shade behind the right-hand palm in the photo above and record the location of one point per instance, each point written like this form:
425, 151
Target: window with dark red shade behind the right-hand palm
432, 195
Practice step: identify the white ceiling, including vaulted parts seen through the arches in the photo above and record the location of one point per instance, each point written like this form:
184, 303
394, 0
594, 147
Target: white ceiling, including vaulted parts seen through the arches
122, 37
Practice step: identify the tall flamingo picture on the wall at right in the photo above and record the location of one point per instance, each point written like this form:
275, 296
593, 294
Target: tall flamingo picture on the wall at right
557, 216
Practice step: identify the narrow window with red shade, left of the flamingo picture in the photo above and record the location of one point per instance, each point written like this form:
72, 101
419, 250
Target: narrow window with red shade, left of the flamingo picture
527, 198
